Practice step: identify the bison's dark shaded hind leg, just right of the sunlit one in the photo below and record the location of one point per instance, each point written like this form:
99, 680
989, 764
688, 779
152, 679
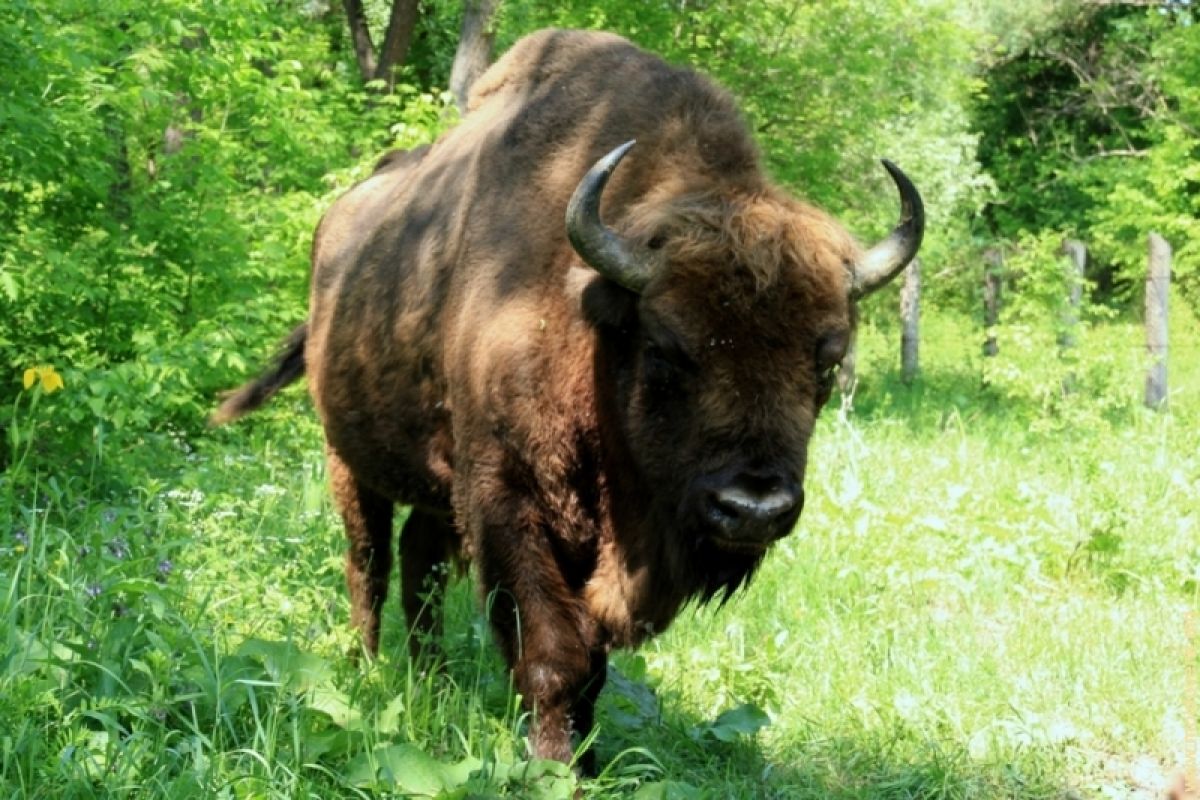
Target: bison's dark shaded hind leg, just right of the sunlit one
425, 554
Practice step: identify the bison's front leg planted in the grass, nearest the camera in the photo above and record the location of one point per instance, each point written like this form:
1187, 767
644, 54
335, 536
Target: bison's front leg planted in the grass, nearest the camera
547, 639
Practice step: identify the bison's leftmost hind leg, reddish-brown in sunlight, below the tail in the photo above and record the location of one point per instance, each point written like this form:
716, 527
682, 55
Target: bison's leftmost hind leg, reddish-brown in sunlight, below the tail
368, 518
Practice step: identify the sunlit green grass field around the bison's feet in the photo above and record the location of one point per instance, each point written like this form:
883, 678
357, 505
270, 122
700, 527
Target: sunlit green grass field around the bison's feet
989, 596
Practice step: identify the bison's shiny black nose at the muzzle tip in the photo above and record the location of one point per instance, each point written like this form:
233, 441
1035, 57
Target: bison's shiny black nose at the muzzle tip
755, 508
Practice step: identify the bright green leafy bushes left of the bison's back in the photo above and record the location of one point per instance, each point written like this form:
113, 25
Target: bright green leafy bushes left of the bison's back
166, 170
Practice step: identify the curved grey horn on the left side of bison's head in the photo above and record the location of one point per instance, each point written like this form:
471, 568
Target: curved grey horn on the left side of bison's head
608, 254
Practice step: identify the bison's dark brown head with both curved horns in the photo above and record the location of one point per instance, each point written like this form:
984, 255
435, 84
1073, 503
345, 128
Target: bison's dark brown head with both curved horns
727, 315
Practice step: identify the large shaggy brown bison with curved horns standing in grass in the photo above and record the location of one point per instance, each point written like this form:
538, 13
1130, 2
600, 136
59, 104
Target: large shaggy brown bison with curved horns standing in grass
609, 416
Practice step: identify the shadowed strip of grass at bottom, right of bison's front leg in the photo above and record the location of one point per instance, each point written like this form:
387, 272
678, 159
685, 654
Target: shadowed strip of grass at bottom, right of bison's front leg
811, 762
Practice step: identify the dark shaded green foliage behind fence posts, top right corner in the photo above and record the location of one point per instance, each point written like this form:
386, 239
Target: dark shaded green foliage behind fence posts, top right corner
1090, 130
